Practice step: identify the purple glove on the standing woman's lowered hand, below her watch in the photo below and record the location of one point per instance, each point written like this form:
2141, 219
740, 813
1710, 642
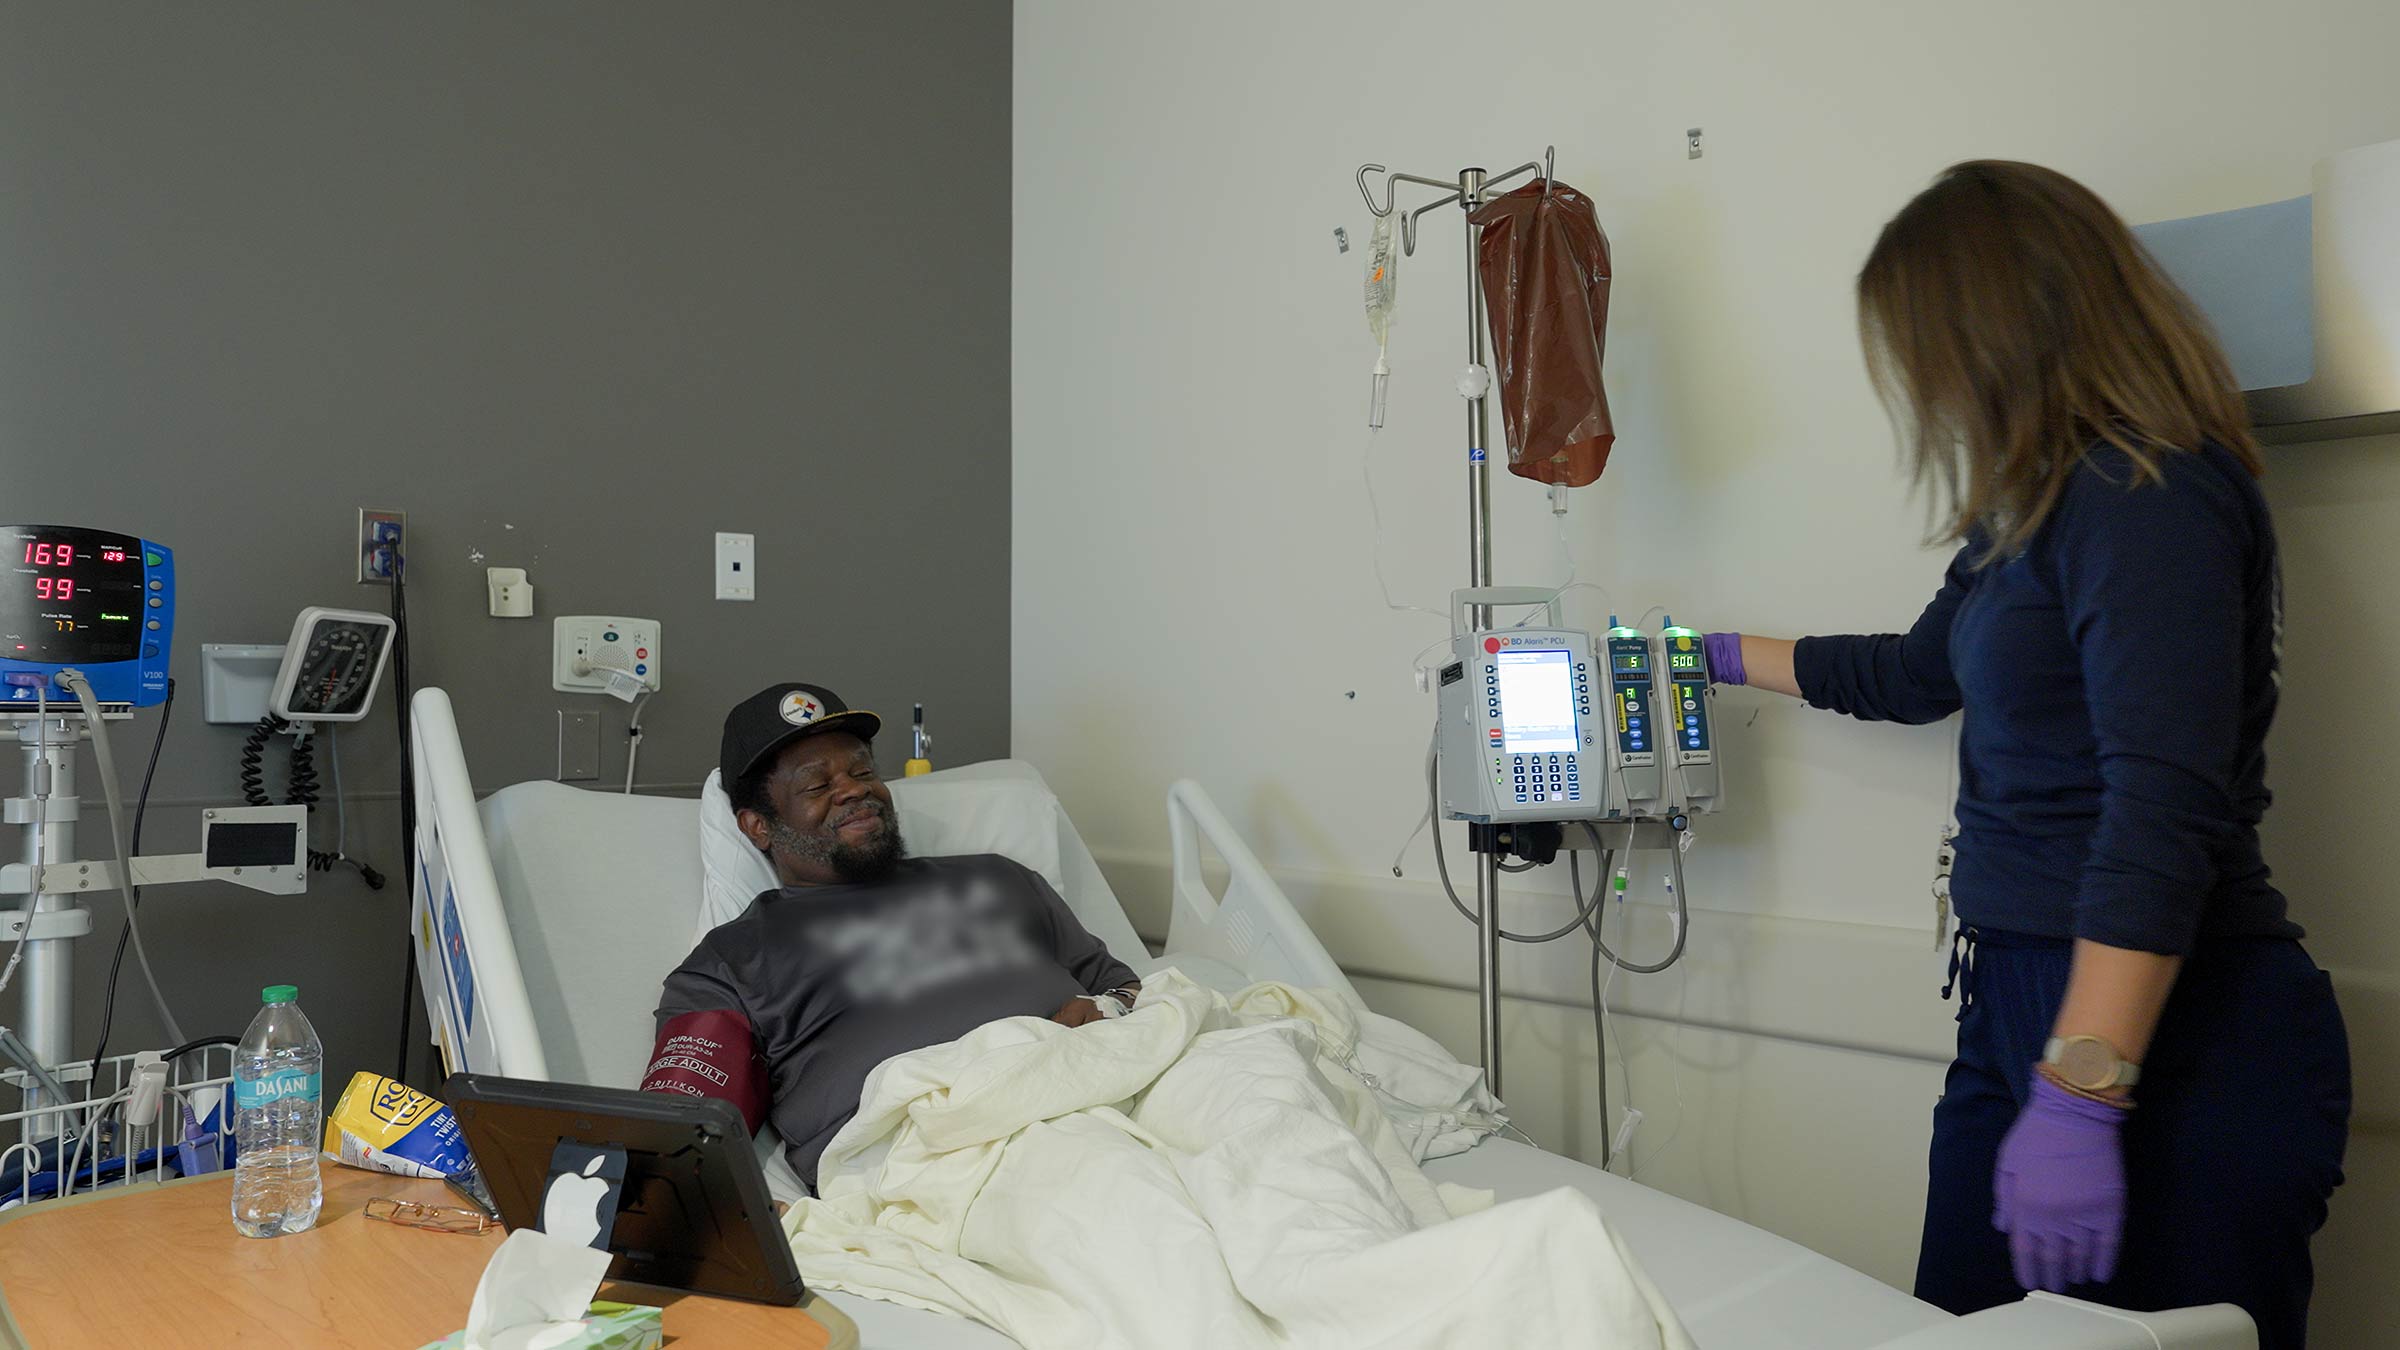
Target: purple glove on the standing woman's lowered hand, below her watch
2058, 1190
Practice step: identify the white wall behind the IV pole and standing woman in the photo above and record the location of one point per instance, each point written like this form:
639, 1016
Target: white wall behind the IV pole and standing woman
1194, 585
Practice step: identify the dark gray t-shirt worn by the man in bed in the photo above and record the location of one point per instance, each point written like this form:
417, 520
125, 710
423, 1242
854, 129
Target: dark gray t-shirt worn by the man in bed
839, 979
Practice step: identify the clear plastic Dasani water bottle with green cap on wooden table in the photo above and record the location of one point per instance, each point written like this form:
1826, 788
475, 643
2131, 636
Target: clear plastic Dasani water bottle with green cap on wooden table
277, 1128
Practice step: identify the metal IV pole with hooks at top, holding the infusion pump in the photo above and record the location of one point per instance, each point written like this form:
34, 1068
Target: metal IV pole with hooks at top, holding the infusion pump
1472, 191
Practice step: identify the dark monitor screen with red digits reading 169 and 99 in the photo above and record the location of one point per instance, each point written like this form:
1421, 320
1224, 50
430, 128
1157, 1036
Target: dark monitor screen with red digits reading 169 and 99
71, 597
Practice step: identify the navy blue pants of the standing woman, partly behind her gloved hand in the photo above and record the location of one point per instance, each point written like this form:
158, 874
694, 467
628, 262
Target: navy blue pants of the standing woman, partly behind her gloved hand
2231, 1154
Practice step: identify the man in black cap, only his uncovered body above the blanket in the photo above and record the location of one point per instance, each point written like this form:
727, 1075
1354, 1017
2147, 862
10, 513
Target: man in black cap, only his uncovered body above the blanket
865, 952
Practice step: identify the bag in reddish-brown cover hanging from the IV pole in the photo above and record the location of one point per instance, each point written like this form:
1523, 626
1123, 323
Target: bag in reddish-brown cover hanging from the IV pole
1547, 292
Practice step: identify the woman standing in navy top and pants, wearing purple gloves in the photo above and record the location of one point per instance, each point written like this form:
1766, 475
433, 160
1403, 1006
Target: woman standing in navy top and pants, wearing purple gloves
2152, 1089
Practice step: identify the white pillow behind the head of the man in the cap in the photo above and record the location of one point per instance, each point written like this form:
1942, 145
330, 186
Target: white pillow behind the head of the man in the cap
940, 818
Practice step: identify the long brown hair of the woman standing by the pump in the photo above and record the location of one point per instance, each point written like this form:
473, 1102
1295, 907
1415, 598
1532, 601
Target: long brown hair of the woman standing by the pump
2012, 323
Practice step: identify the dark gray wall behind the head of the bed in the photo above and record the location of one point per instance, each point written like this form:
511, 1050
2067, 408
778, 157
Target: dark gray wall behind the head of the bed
575, 287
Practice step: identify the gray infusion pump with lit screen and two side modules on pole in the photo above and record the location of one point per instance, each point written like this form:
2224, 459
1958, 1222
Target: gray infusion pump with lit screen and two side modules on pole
1542, 724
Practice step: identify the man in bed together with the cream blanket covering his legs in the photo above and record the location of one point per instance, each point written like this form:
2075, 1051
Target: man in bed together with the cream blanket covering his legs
1204, 1173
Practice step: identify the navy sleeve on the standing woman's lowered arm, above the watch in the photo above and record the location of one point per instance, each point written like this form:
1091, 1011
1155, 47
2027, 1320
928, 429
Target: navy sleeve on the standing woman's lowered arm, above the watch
2154, 585
